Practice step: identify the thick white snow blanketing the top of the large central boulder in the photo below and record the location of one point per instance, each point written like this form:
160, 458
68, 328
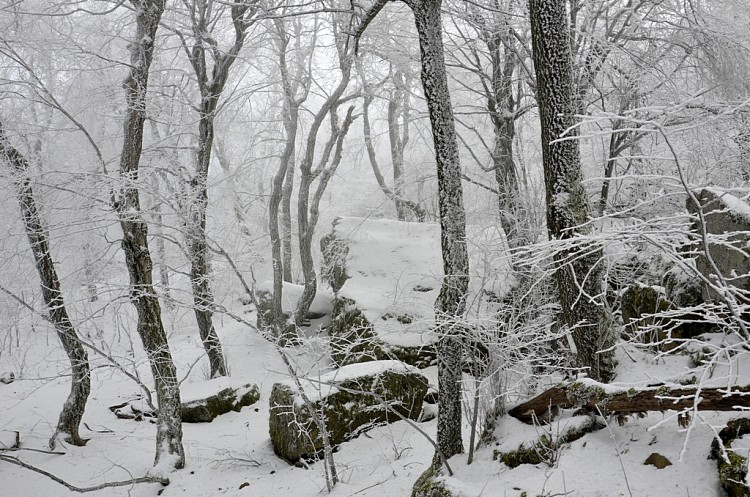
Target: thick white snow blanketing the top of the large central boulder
395, 271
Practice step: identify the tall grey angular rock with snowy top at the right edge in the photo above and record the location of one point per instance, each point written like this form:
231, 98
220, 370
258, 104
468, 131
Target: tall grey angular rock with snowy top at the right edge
727, 217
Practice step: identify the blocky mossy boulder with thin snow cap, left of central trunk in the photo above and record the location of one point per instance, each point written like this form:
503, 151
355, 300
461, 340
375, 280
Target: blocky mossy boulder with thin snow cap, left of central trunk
351, 399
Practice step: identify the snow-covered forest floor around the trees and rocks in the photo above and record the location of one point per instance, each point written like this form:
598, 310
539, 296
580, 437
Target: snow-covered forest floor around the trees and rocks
232, 456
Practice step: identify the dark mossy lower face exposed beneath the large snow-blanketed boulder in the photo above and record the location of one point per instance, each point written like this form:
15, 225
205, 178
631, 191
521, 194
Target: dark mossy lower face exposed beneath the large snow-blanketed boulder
353, 340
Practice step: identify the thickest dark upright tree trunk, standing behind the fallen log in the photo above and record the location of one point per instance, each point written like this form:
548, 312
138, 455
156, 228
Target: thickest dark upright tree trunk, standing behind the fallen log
578, 276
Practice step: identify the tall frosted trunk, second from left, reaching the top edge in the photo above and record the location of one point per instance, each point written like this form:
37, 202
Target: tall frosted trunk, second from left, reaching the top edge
169, 450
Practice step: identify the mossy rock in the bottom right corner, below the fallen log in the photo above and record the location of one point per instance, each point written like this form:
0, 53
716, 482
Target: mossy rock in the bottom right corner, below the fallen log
732, 474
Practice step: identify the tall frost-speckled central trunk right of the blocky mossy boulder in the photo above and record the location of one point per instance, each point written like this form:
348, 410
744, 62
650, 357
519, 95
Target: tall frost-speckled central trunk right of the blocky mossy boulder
451, 302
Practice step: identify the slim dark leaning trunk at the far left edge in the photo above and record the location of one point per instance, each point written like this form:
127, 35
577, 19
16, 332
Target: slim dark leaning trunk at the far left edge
72, 412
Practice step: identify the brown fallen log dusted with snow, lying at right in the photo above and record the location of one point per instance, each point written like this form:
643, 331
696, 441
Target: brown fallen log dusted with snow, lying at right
612, 399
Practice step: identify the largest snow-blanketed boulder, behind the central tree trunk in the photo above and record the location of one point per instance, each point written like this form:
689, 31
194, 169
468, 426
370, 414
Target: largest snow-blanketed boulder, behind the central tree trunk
387, 275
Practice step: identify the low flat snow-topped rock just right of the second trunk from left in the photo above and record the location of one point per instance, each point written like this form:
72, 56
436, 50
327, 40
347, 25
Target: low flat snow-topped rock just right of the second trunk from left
200, 405
